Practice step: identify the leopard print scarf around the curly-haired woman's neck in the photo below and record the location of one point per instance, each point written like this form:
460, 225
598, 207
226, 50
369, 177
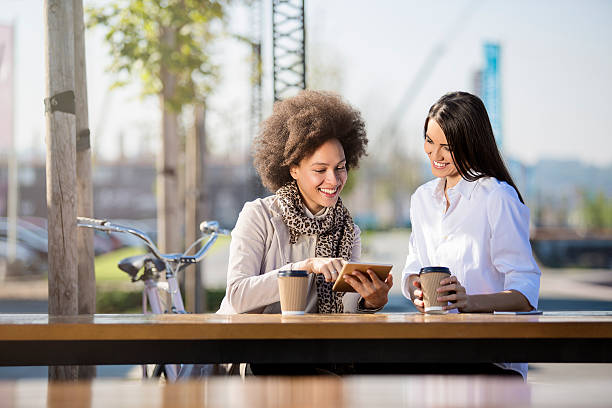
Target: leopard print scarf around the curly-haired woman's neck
335, 235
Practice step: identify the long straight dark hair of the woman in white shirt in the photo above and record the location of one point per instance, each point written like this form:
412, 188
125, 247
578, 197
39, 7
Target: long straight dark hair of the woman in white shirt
464, 120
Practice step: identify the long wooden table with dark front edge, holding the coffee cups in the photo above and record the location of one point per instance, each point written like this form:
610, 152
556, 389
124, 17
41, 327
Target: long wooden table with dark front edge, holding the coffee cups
379, 338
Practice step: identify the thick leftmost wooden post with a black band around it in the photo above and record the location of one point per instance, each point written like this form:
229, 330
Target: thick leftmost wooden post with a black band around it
61, 166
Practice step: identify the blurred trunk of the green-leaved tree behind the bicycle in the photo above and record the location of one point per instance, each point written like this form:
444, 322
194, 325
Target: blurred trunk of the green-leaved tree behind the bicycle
168, 220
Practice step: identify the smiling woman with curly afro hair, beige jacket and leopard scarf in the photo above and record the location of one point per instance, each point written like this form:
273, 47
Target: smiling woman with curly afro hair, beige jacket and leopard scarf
303, 154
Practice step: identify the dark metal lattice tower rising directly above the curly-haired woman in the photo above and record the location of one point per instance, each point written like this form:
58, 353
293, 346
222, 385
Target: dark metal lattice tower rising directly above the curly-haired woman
288, 47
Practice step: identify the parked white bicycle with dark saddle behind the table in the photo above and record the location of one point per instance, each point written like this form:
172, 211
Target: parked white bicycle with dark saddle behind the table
152, 265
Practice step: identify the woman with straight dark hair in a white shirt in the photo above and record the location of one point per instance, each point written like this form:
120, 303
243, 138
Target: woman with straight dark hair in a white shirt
470, 219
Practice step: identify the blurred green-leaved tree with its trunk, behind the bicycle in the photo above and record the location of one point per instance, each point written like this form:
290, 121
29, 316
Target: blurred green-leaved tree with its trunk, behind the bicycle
165, 44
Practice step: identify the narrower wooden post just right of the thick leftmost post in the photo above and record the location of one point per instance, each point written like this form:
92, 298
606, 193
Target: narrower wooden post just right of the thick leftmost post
86, 273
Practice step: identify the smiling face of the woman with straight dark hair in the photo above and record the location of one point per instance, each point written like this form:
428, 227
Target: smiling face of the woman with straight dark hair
439, 154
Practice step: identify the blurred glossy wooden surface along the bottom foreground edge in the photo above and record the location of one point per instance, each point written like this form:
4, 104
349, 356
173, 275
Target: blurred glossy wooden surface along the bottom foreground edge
321, 392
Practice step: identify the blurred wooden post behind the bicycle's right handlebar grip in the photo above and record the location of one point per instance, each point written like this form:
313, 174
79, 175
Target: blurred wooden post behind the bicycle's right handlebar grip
194, 164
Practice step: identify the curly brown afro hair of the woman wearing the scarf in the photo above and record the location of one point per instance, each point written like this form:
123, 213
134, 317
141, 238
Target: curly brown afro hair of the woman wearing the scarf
296, 129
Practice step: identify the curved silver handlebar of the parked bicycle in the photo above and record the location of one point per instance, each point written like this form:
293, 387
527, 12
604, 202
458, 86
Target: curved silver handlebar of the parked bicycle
207, 227
